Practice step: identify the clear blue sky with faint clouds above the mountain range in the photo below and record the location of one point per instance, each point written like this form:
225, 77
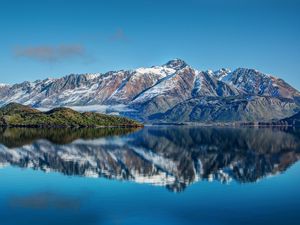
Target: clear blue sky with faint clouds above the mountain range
52, 38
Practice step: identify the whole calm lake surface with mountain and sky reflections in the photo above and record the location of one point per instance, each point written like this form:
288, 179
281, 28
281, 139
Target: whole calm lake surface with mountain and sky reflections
155, 175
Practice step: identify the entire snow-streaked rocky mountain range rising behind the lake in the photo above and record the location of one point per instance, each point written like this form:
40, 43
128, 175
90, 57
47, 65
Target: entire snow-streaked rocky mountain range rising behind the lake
158, 93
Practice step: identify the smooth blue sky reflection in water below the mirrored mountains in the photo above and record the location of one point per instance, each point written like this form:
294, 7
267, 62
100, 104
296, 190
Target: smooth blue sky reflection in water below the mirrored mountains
33, 197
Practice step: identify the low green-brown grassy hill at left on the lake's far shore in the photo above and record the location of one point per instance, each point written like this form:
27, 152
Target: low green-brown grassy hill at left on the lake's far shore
17, 115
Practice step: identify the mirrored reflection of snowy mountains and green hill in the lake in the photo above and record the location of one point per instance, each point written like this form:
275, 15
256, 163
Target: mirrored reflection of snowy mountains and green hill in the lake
169, 156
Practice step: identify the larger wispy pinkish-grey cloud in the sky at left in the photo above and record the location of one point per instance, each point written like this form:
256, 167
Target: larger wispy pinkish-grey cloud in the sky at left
49, 53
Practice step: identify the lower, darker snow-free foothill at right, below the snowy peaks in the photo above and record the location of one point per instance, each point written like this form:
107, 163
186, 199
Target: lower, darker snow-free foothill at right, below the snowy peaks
238, 108
